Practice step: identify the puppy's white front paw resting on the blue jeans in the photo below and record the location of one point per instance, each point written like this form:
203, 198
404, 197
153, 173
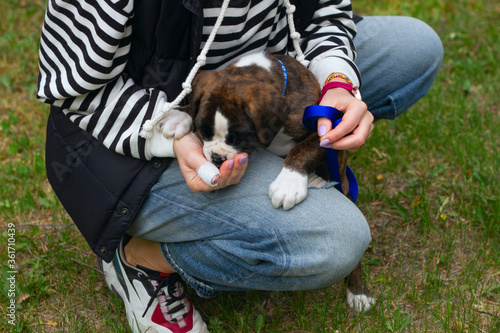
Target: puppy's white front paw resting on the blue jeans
288, 189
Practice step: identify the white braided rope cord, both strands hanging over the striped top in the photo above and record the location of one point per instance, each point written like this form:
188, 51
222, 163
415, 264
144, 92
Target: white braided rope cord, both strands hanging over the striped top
148, 126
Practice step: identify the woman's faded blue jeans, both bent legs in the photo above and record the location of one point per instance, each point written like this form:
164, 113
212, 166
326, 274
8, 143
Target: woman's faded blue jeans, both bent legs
233, 239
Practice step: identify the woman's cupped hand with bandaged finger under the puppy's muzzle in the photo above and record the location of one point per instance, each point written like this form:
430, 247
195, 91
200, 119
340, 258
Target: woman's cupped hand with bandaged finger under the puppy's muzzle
189, 153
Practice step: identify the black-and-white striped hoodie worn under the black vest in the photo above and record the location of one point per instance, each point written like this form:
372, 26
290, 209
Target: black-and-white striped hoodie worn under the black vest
84, 47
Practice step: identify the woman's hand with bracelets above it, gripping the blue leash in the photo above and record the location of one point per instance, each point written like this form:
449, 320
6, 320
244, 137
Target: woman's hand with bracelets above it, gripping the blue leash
357, 119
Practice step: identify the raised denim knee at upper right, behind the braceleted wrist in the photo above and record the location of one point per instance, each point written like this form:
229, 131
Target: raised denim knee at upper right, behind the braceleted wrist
399, 58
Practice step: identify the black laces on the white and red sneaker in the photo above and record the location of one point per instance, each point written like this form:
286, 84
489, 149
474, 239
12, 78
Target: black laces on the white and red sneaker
173, 302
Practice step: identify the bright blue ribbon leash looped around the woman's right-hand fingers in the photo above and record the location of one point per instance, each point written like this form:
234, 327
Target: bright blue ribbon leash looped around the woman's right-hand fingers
311, 115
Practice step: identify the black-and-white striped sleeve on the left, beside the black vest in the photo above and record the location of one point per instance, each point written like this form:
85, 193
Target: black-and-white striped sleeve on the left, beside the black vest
84, 48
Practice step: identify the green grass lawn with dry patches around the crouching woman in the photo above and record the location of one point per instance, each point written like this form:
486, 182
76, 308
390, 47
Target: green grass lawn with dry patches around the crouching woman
429, 188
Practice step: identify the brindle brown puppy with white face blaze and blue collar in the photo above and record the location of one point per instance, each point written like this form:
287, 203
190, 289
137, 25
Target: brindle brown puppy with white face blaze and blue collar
246, 106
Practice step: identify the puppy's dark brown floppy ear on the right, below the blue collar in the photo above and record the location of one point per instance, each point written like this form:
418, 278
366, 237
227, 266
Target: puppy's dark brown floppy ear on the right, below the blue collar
269, 117
